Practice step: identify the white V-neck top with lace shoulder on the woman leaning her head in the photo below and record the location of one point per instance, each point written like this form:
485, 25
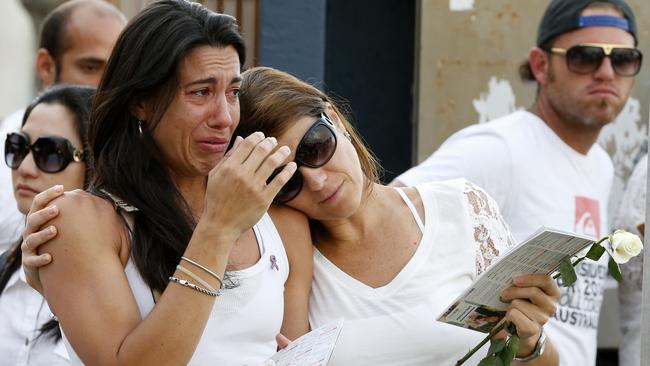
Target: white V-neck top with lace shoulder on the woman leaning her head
396, 324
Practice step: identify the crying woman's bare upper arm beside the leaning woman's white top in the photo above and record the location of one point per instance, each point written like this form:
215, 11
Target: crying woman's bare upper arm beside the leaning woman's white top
294, 231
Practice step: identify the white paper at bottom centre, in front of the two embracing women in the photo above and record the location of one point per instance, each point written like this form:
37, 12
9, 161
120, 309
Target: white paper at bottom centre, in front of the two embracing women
314, 348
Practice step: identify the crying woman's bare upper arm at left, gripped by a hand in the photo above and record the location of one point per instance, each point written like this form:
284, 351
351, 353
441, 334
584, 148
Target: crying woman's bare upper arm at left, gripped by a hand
85, 284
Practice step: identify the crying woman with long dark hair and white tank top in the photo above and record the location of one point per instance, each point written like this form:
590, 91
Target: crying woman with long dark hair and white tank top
171, 256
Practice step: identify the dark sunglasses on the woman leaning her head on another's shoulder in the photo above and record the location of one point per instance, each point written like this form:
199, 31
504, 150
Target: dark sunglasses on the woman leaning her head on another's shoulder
315, 149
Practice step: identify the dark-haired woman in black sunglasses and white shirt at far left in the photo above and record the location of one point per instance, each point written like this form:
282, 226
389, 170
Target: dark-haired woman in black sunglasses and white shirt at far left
49, 150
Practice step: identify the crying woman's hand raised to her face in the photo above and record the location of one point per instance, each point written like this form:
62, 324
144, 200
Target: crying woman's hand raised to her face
237, 194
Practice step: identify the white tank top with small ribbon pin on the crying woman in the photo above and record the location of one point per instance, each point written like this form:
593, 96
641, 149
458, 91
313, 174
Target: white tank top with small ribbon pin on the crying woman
245, 319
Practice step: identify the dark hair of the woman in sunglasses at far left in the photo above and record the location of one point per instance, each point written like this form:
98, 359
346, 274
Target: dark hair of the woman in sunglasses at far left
76, 99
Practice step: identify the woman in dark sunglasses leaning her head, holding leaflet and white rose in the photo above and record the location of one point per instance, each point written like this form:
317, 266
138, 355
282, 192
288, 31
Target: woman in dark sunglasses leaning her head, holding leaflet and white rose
388, 261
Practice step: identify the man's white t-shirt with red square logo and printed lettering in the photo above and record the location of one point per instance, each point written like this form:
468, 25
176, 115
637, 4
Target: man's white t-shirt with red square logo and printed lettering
537, 179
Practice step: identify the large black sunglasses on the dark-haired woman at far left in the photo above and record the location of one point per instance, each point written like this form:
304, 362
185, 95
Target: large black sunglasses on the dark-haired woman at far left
51, 154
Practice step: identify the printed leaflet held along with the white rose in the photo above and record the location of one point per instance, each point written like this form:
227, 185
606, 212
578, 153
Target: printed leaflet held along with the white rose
479, 307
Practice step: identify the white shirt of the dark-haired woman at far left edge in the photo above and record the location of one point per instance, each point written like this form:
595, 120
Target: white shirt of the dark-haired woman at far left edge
22, 312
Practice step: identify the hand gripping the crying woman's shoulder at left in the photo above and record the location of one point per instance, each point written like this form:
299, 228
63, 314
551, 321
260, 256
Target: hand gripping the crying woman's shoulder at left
33, 236
